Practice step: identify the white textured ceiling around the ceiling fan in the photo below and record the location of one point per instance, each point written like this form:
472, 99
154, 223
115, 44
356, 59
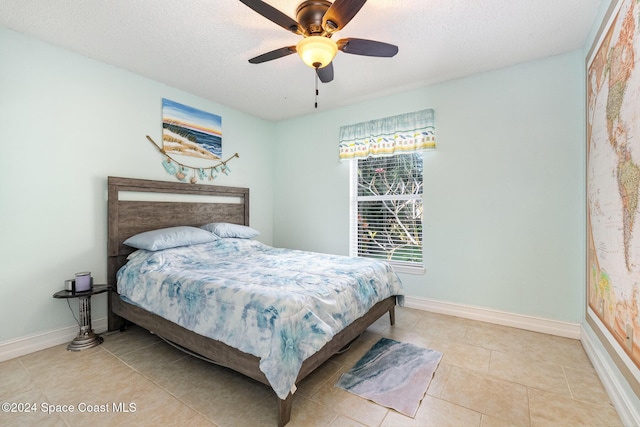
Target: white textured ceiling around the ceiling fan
203, 46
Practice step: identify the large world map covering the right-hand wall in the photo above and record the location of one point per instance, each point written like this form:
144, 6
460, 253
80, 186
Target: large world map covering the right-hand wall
613, 179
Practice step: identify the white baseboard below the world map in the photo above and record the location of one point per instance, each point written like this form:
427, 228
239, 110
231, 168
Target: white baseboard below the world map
628, 412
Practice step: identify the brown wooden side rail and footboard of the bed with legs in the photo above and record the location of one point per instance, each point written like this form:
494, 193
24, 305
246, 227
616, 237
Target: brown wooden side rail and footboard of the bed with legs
224, 355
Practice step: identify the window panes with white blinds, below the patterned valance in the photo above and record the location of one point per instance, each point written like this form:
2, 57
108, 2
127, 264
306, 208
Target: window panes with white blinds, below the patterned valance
386, 209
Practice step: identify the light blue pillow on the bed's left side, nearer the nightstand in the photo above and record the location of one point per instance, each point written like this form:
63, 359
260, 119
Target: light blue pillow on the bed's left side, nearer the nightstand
171, 237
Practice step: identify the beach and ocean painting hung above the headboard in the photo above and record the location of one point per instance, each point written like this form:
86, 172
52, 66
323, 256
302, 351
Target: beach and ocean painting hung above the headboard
187, 131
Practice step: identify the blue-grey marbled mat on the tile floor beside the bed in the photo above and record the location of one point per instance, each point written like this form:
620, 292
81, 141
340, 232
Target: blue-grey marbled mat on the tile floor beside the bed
393, 374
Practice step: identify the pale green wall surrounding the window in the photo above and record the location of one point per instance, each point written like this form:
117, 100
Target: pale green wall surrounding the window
504, 192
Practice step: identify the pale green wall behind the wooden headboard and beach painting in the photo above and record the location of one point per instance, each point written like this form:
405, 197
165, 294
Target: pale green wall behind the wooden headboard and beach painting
66, 123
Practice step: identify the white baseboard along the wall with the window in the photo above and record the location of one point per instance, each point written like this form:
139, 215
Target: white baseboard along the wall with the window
530, 323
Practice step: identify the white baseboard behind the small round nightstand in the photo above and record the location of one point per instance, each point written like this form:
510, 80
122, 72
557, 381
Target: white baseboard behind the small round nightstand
30, 344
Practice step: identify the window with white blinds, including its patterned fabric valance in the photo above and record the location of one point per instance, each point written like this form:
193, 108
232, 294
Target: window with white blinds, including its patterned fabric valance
386, 186
